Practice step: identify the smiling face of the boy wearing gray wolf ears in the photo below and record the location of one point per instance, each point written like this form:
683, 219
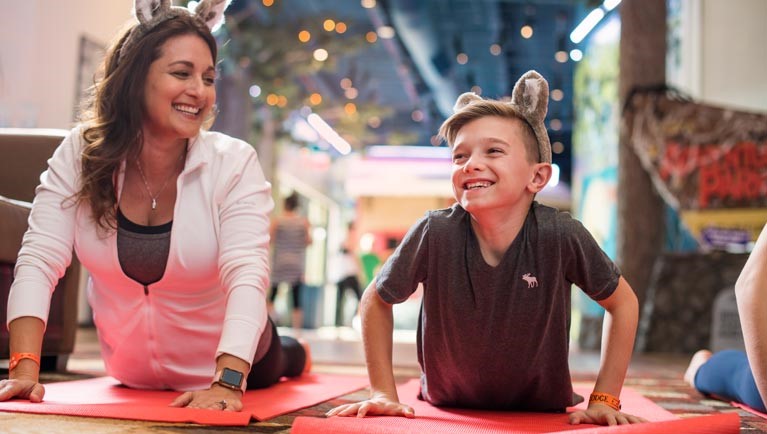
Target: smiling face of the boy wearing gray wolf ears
490, 164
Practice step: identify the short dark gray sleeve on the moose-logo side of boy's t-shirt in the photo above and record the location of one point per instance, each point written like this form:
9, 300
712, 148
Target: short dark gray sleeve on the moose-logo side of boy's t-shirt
586, 264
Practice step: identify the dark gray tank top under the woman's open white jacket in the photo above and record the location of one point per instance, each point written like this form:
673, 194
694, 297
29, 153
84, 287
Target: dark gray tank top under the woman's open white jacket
142, 250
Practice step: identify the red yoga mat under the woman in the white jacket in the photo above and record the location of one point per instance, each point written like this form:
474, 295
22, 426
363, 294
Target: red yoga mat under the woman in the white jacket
104, 397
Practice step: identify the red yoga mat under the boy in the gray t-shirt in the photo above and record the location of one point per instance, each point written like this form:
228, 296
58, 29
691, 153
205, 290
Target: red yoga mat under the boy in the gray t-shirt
433, 420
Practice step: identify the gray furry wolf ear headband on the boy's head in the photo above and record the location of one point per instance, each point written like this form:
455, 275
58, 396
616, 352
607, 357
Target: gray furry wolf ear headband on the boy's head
530, 100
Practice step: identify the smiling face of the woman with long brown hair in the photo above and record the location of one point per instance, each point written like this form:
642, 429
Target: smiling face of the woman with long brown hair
179, 92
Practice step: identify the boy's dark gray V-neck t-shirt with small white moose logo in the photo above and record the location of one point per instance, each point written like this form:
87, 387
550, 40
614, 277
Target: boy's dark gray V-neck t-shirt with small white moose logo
496, 337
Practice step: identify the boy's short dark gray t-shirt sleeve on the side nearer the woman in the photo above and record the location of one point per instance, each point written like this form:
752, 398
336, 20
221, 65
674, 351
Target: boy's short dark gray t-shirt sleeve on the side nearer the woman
406, 267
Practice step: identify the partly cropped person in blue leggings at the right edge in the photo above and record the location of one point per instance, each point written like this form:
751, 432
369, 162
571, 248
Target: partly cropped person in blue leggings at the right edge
732, 374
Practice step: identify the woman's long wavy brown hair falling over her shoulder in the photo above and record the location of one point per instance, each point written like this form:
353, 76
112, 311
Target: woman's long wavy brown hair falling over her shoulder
114, 112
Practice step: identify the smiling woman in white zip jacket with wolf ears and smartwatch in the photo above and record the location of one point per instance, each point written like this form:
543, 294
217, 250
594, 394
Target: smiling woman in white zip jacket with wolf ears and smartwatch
170, 220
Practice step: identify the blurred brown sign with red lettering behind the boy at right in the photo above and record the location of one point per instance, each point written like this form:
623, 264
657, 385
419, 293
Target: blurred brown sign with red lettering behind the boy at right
708, 163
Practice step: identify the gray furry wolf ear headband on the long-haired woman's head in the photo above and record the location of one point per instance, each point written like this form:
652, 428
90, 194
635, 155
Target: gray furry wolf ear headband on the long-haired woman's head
150, 13
